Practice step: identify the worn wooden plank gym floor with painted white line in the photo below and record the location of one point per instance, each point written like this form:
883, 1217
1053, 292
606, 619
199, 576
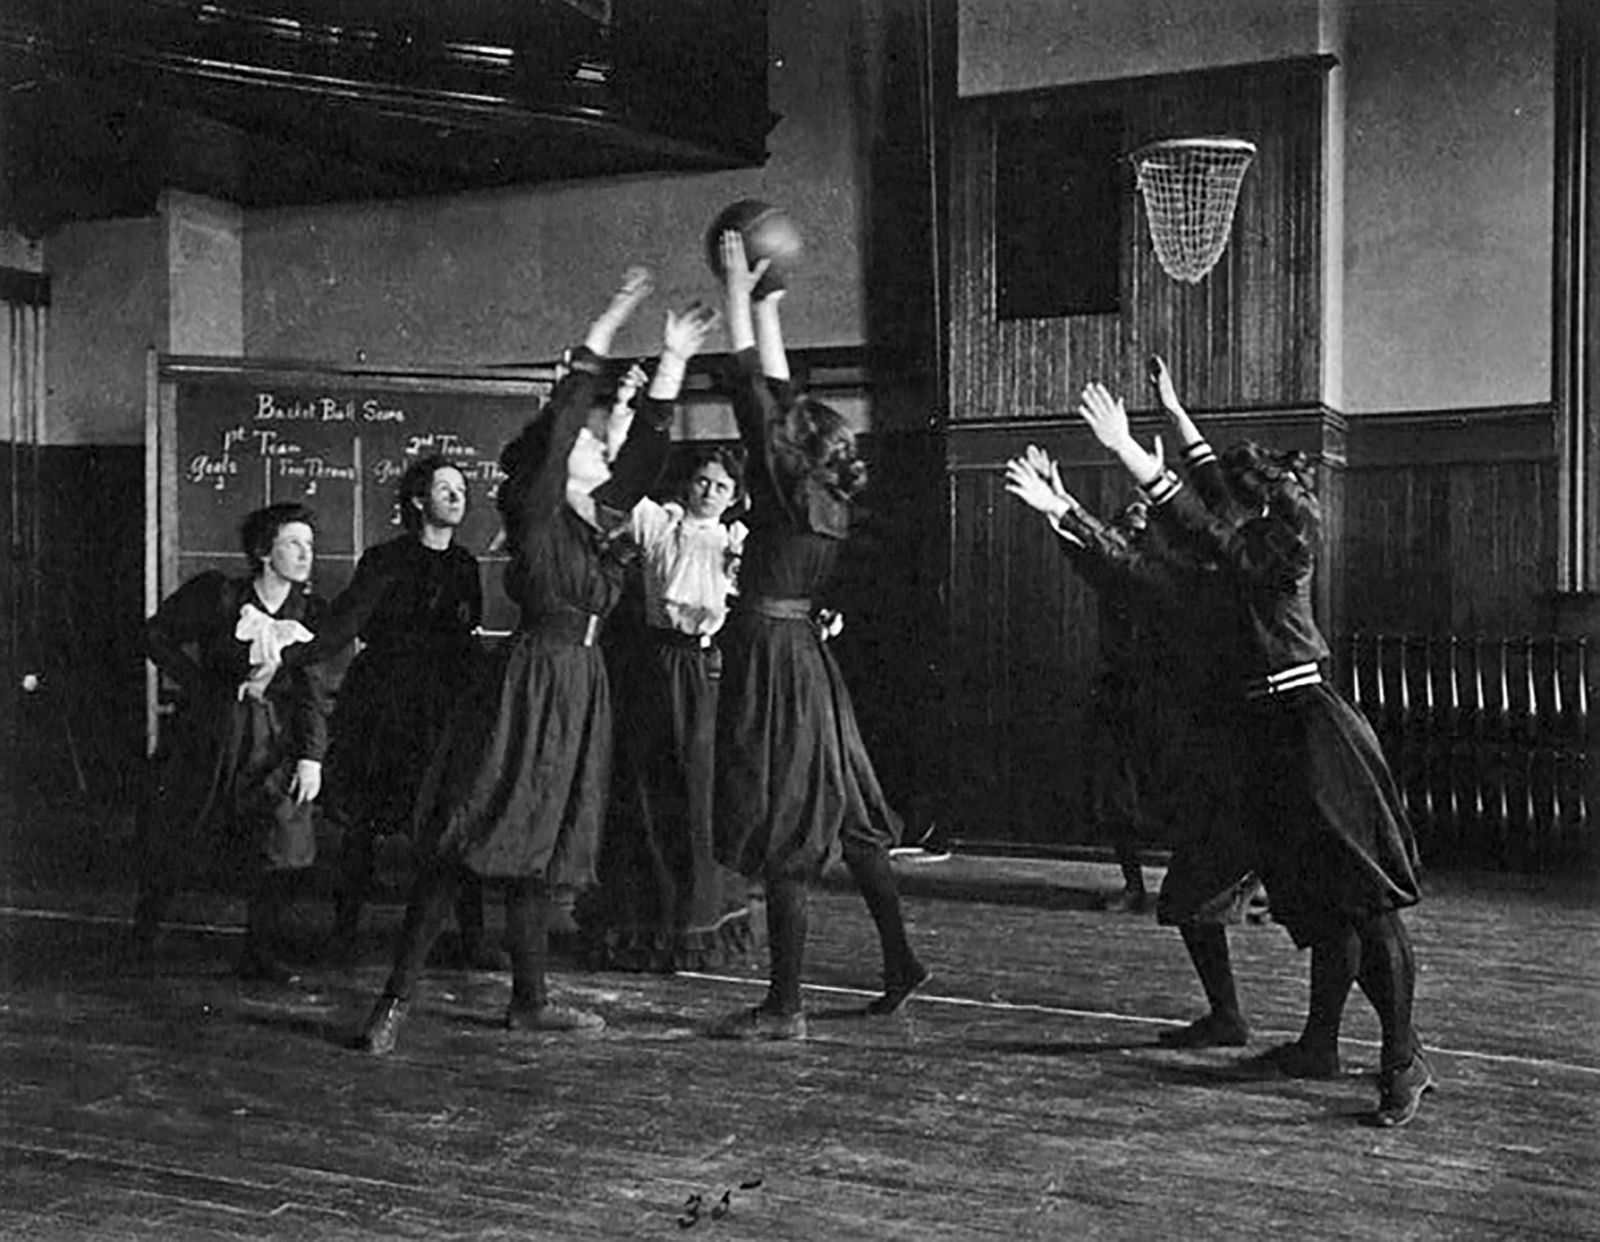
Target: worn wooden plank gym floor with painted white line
1020, 1097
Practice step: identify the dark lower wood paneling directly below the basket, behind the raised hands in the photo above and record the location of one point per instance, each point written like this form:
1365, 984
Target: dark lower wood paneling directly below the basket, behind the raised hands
1025, 630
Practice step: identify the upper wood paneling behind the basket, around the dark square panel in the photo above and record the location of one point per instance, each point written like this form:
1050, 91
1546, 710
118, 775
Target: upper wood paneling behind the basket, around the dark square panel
1247, 337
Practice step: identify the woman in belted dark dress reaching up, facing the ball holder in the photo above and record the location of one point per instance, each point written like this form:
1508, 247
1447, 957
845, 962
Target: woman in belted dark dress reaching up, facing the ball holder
518, 791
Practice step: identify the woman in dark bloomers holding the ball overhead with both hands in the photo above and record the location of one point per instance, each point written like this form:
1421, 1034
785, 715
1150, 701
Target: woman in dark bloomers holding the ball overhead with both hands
796, 787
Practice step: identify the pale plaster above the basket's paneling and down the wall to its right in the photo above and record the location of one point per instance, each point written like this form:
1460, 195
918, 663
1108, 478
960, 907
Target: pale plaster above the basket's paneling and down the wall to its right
1439, 159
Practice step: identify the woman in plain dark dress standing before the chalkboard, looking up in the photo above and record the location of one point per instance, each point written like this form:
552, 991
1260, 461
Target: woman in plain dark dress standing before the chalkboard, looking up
415, 604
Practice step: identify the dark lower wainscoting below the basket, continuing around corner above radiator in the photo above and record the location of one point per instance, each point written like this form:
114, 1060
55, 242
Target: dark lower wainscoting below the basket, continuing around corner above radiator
1434, 524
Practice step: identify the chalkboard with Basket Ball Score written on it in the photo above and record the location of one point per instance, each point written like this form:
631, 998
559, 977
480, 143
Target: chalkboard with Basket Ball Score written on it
231, 436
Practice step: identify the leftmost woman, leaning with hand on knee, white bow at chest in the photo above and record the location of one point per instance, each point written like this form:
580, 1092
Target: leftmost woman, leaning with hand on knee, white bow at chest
241, 763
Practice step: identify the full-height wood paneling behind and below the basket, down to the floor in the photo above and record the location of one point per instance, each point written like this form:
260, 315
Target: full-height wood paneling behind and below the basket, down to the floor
1247, 340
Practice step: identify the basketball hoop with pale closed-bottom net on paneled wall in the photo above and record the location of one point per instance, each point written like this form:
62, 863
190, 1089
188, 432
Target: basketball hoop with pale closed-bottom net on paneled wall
1191, 190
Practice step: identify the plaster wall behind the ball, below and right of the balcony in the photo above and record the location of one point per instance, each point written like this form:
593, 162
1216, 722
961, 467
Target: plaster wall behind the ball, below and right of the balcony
518, 276
